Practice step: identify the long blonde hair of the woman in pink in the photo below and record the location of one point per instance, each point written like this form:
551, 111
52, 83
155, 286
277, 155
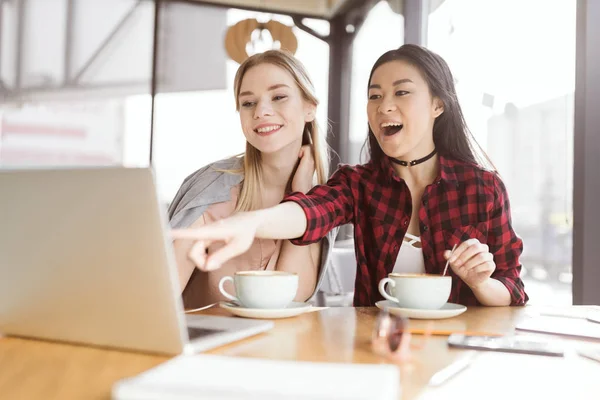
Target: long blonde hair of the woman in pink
251, 167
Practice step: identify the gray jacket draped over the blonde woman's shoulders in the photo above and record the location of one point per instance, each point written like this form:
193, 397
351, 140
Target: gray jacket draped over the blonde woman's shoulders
208, 186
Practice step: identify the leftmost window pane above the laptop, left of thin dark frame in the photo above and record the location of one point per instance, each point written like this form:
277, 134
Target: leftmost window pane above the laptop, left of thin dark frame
66, 74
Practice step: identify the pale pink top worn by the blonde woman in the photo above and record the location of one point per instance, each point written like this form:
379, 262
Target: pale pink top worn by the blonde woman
203, 287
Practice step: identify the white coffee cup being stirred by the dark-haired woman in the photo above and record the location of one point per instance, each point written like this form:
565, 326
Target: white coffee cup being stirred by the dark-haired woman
421, 291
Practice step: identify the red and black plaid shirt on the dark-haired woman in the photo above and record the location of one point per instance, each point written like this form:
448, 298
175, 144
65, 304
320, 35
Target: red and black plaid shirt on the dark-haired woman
464, 202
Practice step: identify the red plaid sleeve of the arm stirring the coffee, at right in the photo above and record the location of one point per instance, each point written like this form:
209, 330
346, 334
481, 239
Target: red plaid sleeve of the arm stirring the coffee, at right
506, 246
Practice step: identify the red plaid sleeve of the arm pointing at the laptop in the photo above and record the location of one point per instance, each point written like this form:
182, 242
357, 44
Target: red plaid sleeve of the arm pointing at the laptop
326, 206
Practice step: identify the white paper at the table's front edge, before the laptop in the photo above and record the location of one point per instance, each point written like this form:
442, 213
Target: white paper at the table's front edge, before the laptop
220, 377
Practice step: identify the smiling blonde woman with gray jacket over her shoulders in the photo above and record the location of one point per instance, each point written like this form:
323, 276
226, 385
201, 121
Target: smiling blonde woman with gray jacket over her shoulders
276, 103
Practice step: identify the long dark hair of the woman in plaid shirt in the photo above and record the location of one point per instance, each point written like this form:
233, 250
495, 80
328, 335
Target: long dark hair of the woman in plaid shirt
451, 135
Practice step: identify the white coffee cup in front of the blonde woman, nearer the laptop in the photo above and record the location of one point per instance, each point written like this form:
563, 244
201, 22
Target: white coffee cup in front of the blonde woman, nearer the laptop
262, 289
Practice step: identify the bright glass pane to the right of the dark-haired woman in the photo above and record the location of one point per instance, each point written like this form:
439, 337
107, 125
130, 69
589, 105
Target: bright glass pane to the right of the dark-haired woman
514, 67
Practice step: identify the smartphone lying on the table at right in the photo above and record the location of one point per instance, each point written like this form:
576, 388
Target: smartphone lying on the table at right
508, 344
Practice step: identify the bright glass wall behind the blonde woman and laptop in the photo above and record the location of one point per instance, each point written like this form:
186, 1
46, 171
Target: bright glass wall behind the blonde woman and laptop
75, 84
